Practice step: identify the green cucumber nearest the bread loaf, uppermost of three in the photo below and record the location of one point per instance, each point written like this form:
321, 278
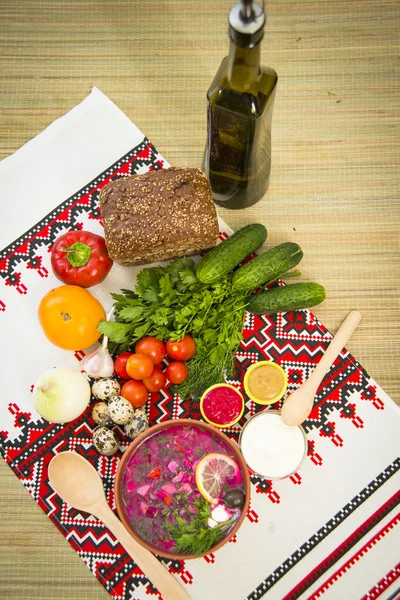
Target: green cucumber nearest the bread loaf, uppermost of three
220, 261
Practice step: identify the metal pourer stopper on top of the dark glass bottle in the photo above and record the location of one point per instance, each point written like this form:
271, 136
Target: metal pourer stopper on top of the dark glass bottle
246, 23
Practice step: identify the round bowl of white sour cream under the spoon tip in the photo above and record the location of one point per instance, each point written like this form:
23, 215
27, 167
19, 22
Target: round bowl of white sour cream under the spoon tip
271, 448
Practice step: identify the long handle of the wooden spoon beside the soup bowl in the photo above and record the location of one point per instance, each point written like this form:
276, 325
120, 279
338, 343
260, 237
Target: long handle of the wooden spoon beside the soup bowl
164, 581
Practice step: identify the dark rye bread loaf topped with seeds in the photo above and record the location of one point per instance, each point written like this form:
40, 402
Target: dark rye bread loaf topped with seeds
158, 215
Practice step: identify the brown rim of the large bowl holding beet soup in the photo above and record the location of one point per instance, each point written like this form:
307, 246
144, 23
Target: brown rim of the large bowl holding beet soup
132, 447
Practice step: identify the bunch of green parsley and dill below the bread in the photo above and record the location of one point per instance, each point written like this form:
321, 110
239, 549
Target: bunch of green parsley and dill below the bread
168, 302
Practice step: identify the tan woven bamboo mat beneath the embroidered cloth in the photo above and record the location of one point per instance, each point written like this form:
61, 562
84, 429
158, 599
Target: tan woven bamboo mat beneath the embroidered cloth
335, 184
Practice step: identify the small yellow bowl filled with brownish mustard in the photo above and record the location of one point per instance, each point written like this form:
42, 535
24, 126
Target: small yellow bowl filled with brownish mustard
265, 382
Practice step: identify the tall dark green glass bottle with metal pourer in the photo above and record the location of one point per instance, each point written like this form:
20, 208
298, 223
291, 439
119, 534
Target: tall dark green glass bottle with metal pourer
237, 157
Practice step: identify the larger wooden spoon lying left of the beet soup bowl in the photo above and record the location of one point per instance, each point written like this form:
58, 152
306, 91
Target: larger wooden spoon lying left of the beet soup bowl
77, 482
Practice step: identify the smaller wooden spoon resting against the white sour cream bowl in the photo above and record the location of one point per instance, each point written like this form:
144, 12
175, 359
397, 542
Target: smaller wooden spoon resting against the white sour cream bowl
298, 405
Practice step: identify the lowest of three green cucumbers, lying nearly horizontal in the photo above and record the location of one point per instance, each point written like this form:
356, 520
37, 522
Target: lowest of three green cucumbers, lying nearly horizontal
289, 297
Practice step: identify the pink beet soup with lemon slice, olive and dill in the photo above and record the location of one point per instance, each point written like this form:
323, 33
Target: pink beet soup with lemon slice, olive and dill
182, 490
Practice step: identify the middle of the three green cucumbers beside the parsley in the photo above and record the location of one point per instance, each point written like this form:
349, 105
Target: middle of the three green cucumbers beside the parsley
268, 266
